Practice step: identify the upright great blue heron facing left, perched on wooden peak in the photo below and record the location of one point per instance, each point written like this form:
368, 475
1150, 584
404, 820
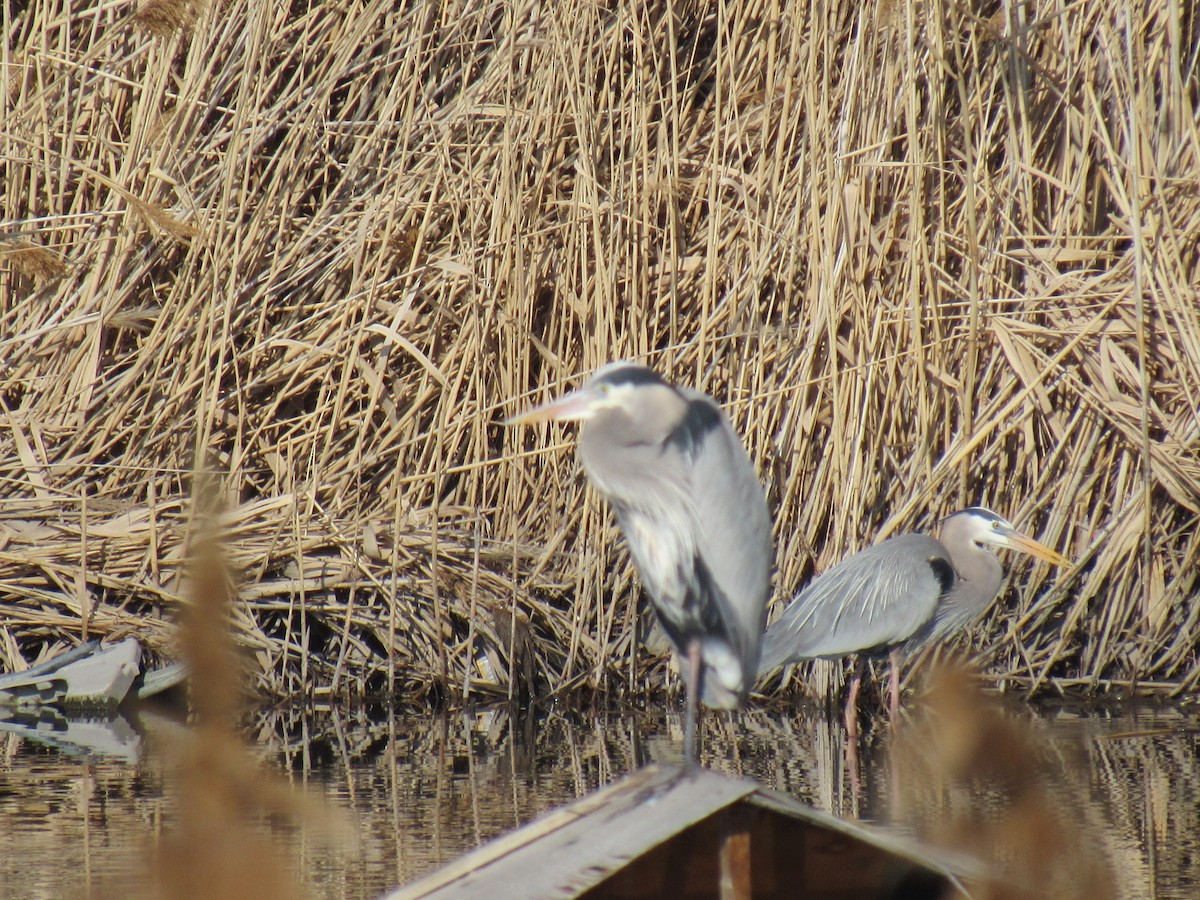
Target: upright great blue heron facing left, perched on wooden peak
693, 514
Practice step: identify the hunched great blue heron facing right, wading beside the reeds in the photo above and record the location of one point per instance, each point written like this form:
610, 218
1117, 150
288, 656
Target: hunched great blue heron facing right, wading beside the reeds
899, 596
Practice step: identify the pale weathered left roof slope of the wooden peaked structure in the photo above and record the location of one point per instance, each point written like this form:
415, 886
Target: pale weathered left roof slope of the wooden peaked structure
578, 847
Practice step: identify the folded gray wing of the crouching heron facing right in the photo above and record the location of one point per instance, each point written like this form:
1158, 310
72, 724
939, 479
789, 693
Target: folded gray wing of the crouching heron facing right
881, 596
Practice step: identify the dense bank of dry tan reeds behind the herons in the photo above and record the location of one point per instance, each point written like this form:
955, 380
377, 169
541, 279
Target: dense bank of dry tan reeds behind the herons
927, 255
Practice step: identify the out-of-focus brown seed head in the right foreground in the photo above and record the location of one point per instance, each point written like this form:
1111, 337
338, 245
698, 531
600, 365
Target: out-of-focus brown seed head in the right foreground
970, 778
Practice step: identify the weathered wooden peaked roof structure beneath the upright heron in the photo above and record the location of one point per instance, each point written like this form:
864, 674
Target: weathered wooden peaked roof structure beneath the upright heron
669, 832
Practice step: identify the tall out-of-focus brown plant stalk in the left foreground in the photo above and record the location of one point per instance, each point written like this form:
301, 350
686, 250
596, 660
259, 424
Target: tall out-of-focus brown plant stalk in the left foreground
219, 848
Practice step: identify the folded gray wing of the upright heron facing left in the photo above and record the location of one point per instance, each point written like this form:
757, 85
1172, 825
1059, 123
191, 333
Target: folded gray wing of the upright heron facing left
734, 545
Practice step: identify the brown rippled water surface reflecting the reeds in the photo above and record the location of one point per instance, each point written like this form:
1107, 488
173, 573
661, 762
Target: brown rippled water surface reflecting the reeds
423, 789
